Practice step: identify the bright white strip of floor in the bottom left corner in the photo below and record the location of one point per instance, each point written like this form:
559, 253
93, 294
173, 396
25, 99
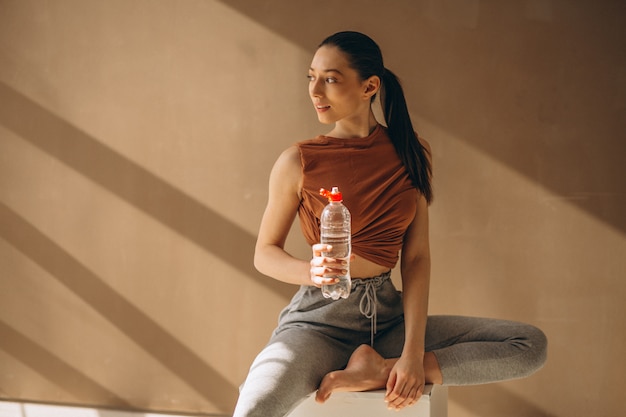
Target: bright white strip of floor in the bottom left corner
13, 409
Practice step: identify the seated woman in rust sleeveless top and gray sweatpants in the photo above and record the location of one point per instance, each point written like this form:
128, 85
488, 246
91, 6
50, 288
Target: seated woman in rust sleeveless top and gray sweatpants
377, 338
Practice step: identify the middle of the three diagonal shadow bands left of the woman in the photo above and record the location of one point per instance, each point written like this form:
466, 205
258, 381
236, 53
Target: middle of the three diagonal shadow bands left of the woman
139, 327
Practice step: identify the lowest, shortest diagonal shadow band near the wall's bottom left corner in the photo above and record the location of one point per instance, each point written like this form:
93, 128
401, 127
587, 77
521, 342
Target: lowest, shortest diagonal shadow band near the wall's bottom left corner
50, 366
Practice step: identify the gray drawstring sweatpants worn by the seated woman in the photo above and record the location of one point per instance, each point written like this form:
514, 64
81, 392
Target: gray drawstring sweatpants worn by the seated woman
316, 336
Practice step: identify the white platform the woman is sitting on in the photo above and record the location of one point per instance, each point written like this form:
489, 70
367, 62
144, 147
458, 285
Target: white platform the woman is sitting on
434, 403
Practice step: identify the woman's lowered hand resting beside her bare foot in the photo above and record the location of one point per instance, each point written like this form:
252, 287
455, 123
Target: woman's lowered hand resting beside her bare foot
406, 382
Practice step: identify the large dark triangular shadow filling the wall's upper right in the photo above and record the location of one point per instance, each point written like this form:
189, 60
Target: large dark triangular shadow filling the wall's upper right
581, 165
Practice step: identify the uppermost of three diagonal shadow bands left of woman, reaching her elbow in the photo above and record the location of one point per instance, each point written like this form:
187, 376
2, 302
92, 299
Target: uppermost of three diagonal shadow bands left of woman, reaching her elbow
144, 190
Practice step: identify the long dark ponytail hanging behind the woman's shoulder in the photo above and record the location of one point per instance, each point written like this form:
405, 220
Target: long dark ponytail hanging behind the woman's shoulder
404, 138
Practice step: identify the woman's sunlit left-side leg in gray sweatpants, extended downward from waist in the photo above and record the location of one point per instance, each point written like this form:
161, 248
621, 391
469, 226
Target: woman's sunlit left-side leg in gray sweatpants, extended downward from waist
315, 336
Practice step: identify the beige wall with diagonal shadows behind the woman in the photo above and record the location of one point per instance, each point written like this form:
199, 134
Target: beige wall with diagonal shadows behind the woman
136, 138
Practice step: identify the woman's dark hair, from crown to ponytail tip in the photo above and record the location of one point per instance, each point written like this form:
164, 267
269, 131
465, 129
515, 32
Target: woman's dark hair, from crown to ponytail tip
366, 58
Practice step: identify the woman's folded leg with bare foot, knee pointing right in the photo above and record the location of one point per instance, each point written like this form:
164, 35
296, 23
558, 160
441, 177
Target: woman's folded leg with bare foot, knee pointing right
460, 350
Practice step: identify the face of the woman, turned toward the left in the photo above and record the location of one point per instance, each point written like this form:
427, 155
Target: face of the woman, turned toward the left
336, 89
